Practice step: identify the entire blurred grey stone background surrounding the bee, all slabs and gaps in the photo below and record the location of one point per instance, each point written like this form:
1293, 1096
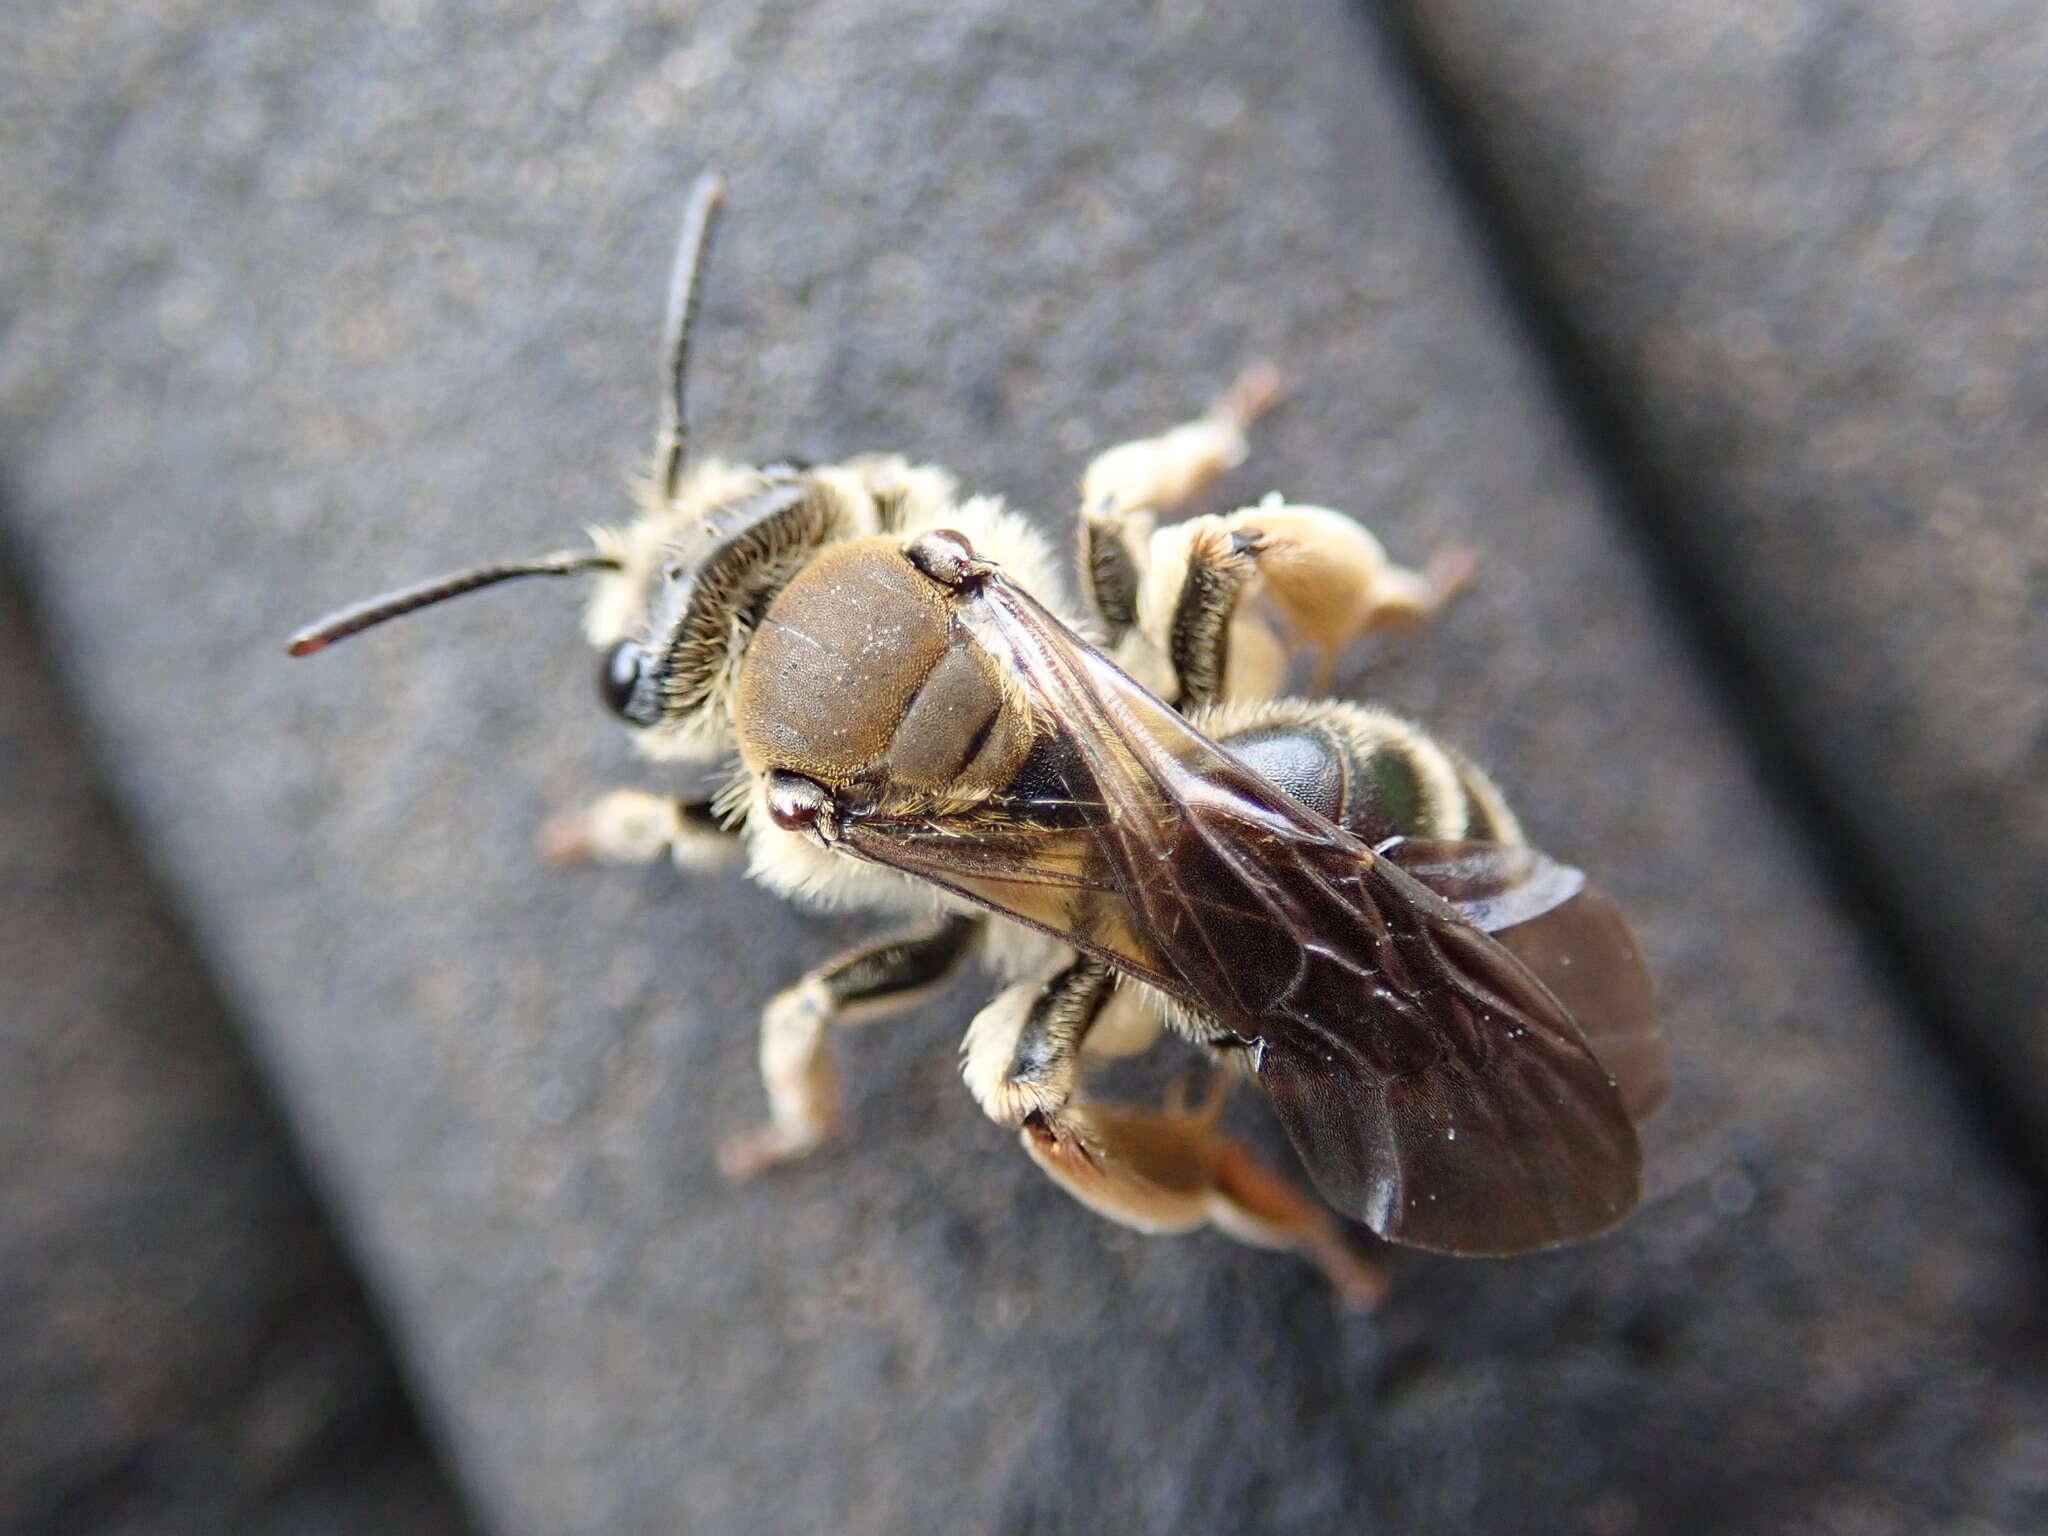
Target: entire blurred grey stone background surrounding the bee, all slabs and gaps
355, 1170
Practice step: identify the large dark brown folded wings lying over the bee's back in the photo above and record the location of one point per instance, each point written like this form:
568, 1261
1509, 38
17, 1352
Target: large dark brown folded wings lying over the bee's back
1431, 1082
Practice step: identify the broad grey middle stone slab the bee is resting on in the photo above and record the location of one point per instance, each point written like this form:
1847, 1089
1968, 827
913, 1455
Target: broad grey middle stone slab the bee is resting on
314, 302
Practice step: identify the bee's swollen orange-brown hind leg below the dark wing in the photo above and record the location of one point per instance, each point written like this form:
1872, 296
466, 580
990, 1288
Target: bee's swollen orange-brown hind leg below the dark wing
1172, 1172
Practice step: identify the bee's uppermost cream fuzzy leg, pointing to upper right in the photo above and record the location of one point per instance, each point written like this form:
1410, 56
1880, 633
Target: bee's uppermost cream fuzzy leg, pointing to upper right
1127, 484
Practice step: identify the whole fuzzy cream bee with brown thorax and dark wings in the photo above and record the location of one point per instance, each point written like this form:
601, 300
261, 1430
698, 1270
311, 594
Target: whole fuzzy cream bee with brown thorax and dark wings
1113, 806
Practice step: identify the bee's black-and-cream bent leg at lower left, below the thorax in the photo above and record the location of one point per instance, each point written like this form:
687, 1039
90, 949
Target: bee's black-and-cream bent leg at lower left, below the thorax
865, 984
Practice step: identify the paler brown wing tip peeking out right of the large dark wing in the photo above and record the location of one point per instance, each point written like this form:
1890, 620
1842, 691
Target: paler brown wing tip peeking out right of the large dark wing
1570, 935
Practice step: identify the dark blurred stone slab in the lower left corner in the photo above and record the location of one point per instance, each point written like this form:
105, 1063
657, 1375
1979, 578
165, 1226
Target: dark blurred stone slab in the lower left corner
181, 1345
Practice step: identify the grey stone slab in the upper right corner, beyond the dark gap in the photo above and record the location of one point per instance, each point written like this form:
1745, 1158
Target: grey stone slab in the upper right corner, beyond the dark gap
1799, 255
